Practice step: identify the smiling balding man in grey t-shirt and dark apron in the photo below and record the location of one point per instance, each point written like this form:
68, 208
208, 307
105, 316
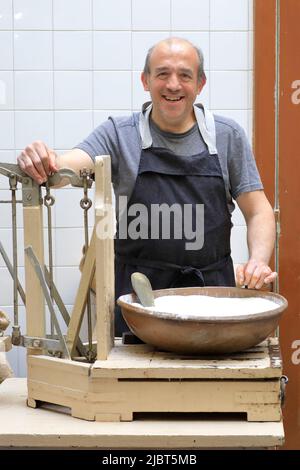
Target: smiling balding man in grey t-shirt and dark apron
175, 152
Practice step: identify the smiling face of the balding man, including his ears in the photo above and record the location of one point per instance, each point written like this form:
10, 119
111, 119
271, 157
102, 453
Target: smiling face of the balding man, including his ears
173, 85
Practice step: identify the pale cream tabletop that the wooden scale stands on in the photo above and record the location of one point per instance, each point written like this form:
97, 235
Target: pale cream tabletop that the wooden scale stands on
23, 427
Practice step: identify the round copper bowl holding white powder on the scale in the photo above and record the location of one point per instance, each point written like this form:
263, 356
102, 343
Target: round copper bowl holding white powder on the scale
205, 335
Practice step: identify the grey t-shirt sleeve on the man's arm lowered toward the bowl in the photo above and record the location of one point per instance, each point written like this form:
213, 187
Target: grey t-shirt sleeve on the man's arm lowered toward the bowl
243, 173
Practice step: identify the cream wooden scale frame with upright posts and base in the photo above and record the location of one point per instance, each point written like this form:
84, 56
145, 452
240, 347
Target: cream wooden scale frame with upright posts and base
128, 379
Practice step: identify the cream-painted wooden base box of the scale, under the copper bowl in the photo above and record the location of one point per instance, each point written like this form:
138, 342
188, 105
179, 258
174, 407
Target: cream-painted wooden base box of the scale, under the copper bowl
138, 379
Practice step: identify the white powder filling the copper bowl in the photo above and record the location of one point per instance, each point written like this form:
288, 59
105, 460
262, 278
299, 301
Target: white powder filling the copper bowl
185, 306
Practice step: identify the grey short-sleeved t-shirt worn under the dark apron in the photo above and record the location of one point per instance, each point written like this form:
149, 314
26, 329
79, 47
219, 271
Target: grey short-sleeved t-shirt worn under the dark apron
120, 137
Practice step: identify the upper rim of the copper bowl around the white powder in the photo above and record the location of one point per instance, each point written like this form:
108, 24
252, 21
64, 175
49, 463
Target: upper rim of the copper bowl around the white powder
122, 301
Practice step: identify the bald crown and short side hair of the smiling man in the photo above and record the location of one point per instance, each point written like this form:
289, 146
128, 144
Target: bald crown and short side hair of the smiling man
176, 43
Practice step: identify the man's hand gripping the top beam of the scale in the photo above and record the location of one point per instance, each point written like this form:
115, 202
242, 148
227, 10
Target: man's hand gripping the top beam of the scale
38, 161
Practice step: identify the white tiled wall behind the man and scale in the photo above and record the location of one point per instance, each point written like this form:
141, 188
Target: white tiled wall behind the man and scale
65, 65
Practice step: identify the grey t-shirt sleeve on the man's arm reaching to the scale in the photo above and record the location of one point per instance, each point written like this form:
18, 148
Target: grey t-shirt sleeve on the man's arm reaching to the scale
103, 141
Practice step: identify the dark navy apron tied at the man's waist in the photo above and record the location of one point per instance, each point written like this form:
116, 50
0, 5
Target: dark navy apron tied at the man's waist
164, 177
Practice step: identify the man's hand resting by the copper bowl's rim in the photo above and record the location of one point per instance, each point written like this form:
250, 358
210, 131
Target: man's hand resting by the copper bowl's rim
254, 274
